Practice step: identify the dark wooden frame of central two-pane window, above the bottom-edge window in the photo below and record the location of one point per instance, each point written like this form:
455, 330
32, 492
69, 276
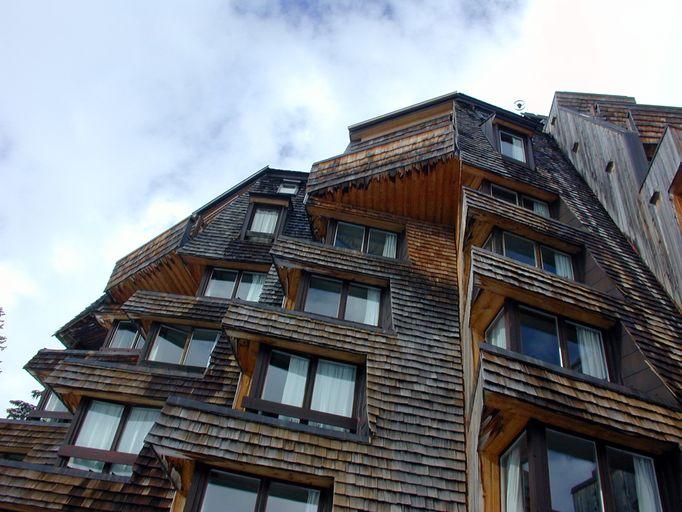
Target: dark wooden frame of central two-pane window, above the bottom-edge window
254, 403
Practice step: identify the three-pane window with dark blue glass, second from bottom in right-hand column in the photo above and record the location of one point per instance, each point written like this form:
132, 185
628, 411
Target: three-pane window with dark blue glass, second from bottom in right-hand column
549, 338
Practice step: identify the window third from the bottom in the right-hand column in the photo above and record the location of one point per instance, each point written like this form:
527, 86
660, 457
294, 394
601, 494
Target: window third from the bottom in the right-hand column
531, 253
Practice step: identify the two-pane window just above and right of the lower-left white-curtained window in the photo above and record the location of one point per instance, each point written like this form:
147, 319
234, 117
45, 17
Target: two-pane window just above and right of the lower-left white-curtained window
183, 346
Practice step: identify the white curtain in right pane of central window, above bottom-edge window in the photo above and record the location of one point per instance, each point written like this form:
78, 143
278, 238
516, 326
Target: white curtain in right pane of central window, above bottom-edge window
334, 388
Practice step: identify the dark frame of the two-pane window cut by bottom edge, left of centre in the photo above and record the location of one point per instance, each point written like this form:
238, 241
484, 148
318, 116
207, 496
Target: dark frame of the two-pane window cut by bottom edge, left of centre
197, 491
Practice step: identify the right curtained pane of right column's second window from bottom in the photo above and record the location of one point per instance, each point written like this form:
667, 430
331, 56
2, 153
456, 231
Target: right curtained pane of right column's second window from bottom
586, 350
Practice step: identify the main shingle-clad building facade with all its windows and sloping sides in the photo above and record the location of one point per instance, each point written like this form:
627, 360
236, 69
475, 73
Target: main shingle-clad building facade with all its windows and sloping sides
444, 317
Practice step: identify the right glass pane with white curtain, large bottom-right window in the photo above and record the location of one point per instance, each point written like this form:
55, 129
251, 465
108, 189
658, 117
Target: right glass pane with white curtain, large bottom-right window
633, 480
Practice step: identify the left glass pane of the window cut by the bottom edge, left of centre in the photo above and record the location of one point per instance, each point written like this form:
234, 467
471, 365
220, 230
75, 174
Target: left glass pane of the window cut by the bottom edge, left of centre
227, 491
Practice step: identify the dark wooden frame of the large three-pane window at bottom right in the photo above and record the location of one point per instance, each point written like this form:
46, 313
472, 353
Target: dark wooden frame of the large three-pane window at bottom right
538, 466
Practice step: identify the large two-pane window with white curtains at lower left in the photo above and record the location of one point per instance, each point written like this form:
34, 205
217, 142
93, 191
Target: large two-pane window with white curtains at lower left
109, 437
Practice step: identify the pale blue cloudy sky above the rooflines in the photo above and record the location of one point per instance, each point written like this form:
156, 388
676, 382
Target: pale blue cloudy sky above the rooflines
119, 118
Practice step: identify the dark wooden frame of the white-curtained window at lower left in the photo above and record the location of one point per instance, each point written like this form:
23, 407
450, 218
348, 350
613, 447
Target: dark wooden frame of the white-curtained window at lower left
109, 457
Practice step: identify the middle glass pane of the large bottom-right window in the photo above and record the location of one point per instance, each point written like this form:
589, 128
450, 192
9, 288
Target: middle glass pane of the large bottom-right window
573, 475
